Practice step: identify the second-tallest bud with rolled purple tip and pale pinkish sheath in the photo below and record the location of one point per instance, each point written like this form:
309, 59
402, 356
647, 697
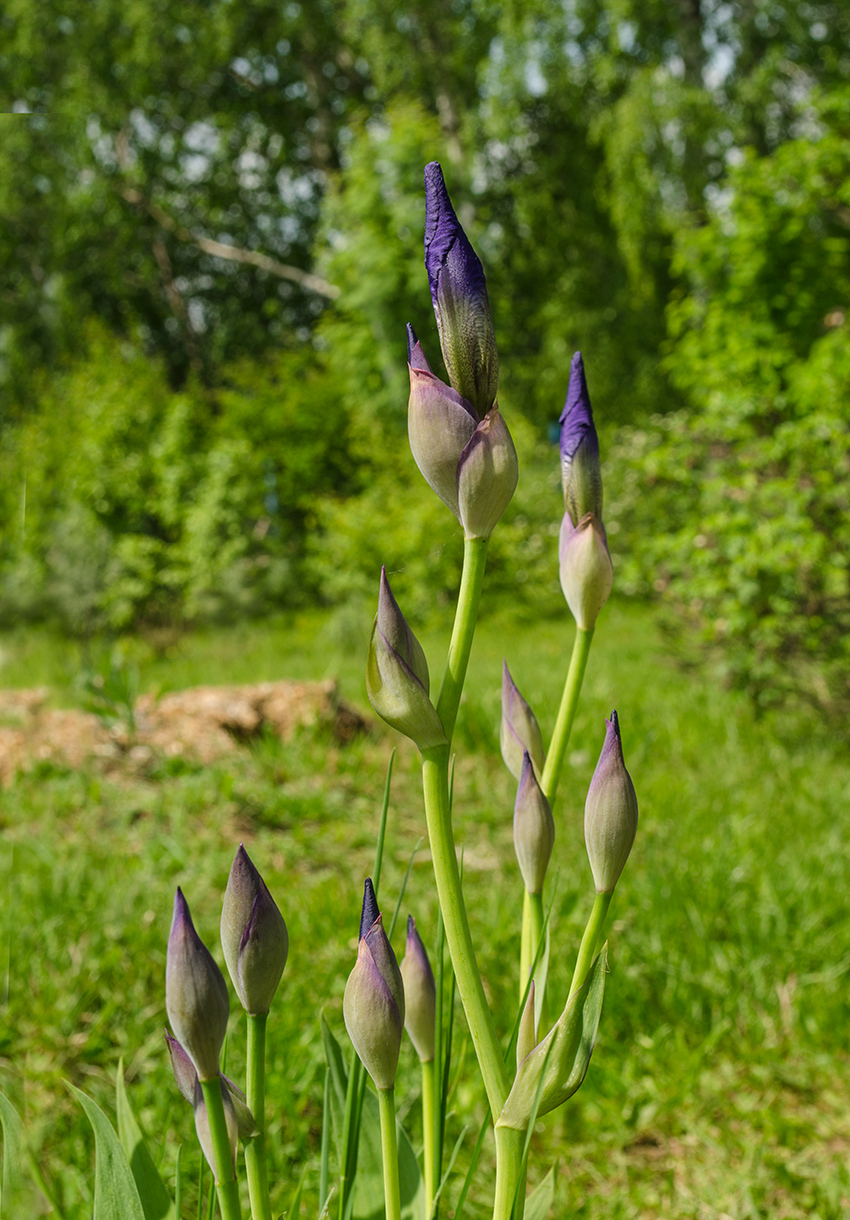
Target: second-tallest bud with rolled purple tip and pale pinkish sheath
587, 573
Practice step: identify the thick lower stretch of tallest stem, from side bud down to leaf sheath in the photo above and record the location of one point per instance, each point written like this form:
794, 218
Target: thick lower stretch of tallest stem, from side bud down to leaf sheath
436, 790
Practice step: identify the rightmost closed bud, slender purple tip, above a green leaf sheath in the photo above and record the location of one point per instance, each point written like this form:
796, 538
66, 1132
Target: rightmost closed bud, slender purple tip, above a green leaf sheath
610, 813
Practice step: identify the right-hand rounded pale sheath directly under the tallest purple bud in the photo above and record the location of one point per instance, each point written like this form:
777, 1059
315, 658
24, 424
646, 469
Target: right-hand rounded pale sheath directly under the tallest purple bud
487, 476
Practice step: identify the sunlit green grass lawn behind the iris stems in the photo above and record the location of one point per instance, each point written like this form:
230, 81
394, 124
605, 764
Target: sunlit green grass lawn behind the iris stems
719, 1086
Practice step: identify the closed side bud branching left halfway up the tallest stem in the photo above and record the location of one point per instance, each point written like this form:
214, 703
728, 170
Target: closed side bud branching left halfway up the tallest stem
397, 675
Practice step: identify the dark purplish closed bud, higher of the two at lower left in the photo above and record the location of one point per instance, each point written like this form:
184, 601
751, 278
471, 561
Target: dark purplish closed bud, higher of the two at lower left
254, 936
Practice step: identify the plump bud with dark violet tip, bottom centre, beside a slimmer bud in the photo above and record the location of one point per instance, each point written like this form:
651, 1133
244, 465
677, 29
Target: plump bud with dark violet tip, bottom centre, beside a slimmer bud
374, 1005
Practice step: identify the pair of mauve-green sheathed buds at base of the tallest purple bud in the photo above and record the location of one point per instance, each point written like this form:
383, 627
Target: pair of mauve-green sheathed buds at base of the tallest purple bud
469, 462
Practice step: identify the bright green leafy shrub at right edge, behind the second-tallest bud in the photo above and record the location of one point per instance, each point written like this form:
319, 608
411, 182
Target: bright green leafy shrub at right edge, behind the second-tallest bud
743, 506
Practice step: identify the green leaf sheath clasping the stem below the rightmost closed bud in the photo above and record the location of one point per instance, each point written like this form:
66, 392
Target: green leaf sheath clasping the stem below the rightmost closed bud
558, 1066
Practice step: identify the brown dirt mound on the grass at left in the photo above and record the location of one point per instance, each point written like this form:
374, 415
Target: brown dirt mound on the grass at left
202, 723
